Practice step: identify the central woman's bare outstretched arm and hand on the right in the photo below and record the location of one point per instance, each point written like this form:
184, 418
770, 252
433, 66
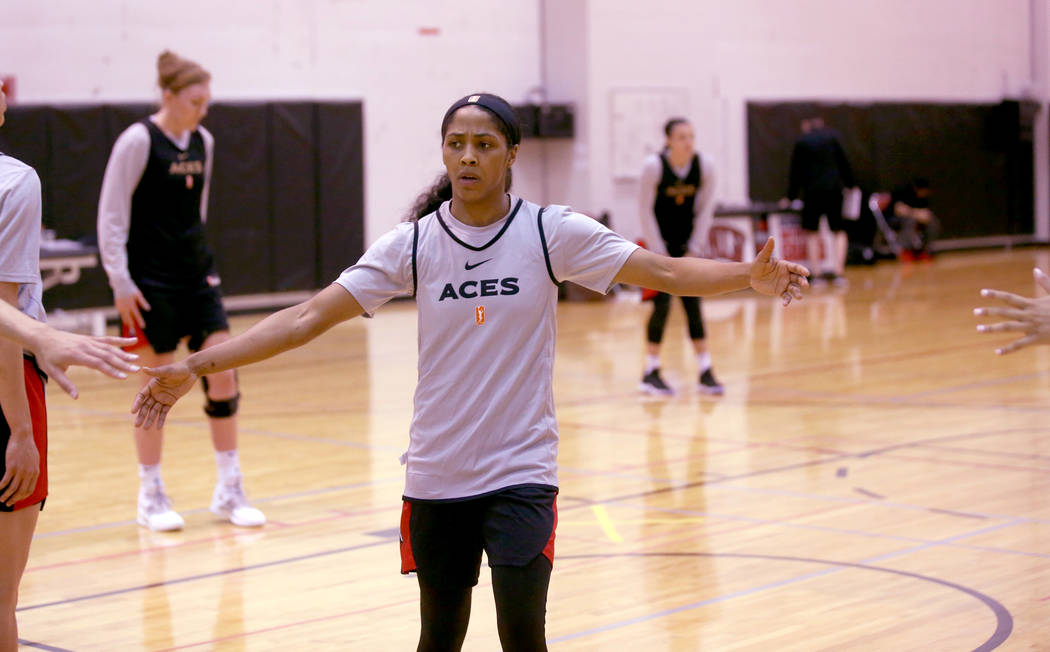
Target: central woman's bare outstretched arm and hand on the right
702, 278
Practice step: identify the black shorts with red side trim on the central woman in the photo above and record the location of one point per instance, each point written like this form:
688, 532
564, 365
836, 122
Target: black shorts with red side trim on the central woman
443, 541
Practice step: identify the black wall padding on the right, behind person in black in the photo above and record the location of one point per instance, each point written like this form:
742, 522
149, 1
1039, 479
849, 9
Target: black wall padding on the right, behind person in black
982, 187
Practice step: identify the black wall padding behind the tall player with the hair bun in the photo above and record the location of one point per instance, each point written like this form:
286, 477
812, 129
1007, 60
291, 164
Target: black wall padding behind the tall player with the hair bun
287, 203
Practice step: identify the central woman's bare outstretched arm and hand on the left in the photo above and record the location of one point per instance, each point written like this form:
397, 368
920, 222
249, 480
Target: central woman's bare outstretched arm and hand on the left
282, 331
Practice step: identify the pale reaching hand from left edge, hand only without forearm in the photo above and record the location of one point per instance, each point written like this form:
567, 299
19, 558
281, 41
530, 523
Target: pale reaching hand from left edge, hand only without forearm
58, 350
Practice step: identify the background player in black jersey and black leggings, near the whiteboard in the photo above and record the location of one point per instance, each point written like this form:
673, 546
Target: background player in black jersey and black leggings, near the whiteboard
676, 206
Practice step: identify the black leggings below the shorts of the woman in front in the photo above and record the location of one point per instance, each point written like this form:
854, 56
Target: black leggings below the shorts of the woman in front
521, 611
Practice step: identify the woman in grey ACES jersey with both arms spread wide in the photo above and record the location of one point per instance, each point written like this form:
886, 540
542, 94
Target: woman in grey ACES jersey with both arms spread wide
485, 268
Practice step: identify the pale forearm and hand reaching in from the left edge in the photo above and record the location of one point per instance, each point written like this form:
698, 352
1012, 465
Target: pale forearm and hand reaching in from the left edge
58, 350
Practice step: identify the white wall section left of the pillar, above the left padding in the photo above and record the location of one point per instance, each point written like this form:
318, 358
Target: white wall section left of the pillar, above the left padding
106, 51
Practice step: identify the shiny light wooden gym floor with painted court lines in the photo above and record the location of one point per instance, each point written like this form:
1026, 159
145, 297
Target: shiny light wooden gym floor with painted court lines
874, 479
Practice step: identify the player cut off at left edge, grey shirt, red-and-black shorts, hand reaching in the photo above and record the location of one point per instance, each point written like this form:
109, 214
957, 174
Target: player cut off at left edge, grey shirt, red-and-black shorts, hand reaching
24, 416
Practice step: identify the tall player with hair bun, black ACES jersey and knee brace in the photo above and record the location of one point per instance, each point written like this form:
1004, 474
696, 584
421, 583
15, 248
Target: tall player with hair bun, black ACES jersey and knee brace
152, 237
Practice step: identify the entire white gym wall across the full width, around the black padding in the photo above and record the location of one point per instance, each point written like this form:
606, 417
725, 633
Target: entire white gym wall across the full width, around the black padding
721, 54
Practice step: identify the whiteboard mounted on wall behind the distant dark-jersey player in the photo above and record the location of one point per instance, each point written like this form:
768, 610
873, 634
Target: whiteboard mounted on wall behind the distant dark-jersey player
638, 119
